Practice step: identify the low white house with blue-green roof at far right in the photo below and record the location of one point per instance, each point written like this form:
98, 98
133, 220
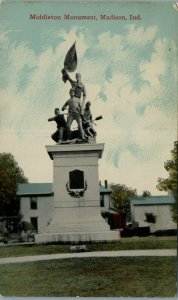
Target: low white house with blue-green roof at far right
153, 211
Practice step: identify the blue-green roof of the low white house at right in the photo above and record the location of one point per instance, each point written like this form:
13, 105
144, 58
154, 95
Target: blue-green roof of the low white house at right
153, 200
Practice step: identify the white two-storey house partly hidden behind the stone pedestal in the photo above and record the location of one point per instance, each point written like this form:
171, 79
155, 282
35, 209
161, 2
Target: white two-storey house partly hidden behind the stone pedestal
36, 203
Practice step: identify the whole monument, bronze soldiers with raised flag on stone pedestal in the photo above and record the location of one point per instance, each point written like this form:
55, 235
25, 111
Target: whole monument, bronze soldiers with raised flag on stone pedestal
76, 215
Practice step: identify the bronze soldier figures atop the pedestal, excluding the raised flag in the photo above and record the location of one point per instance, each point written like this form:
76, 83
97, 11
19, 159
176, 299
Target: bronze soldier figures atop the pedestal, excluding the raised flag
77, 110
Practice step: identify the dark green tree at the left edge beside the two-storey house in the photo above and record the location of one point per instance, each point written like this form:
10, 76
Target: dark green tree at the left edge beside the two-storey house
10, 176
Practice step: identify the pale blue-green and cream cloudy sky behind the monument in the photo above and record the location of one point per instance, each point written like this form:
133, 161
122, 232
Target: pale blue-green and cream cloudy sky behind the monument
129, 68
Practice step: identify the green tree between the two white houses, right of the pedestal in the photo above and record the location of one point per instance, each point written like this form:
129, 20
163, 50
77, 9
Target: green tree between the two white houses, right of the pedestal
121, 196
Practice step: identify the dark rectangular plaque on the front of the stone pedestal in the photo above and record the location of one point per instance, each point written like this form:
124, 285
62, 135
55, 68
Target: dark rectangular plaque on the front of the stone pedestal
76, 179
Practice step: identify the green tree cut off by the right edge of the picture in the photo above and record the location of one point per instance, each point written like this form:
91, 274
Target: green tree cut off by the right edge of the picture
170, 183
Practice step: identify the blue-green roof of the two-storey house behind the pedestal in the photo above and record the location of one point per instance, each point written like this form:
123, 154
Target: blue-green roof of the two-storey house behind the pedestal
26, 189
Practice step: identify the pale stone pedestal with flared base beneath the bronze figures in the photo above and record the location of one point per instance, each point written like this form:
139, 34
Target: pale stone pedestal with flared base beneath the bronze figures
76, 208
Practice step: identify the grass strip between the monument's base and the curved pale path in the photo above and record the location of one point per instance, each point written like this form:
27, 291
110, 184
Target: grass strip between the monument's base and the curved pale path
123, 244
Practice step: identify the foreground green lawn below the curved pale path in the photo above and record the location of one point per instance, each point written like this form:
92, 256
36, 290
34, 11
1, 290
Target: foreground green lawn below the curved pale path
91, 277
